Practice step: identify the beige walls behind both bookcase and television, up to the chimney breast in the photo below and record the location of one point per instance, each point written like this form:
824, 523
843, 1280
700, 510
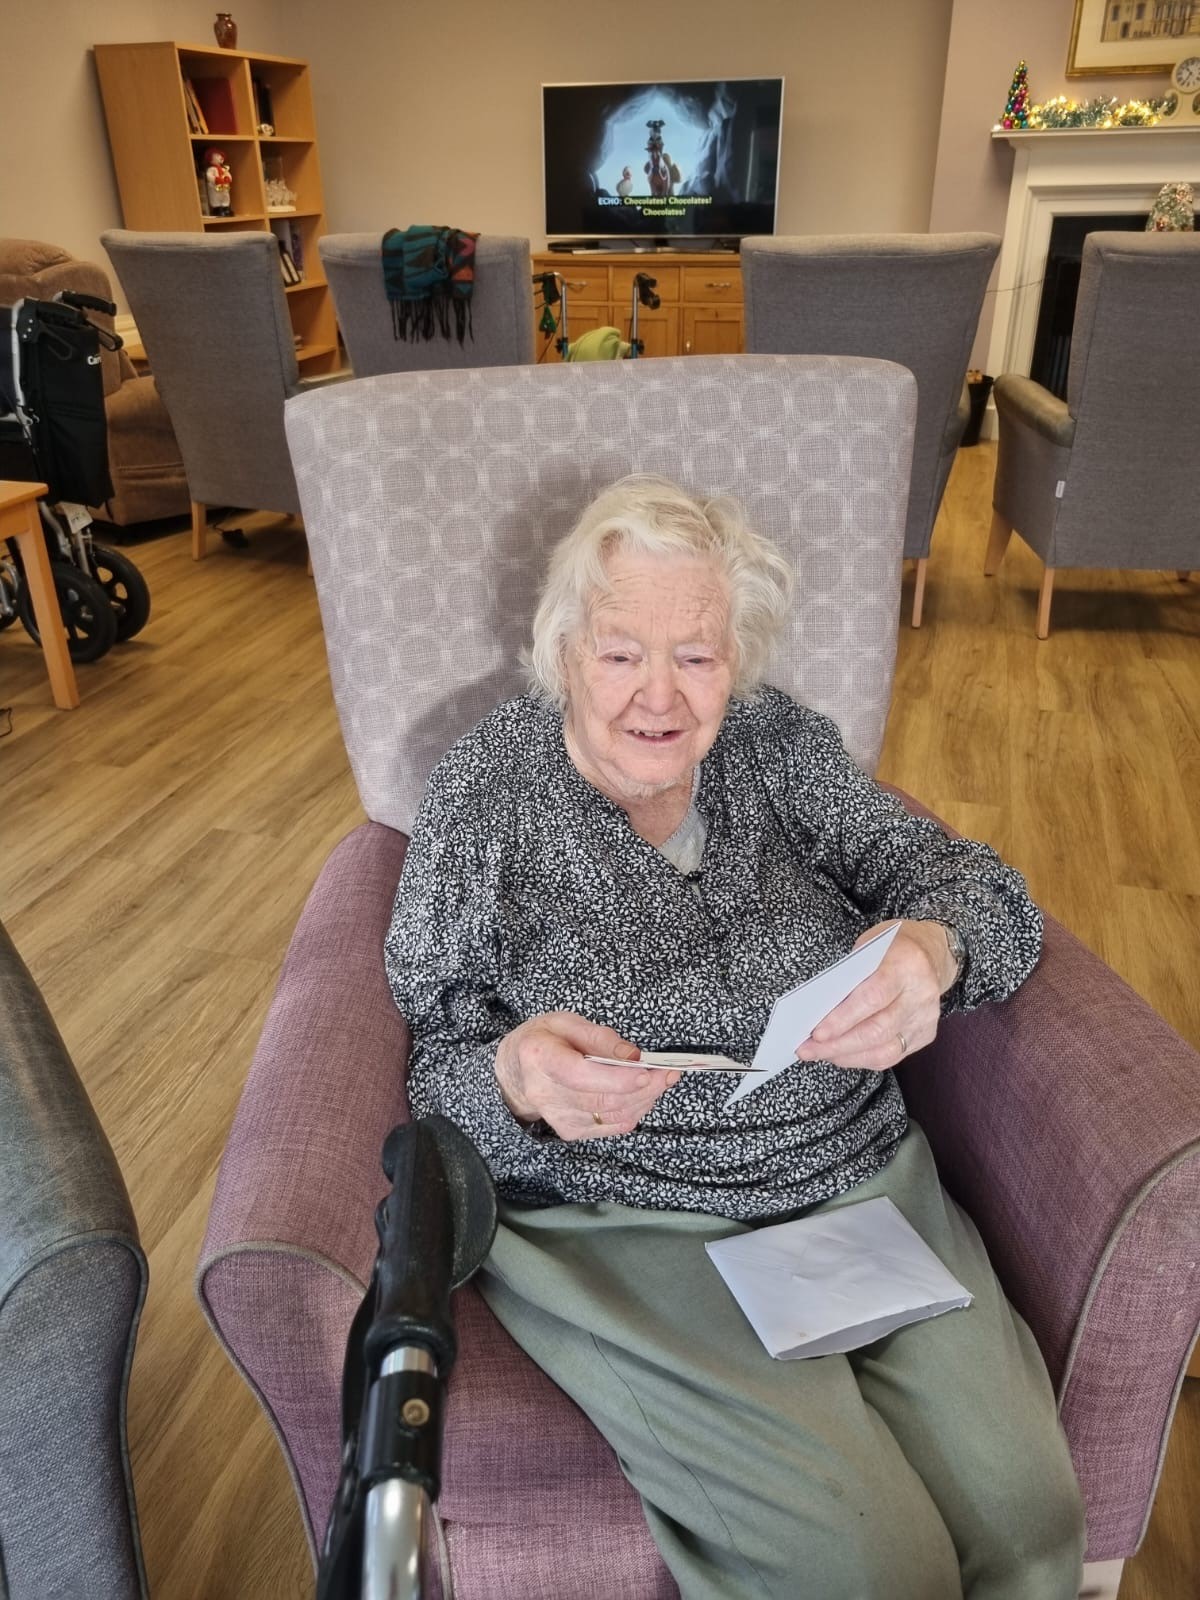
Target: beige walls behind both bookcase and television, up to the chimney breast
433, 113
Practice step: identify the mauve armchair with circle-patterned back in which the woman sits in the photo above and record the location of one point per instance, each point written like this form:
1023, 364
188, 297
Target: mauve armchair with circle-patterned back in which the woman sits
1065, 1122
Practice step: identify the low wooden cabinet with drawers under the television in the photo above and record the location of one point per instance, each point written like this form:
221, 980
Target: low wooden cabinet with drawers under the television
702, 295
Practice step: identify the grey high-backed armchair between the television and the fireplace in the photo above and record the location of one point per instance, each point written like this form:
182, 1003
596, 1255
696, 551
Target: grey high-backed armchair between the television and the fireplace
906, 298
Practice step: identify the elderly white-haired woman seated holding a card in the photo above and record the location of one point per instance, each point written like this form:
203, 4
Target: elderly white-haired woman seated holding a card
644, 854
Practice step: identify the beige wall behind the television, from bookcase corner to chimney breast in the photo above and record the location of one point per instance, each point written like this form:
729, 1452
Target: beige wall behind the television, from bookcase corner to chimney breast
433, 113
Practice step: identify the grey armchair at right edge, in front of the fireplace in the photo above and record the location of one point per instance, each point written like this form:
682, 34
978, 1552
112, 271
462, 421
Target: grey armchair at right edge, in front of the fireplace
1108, 478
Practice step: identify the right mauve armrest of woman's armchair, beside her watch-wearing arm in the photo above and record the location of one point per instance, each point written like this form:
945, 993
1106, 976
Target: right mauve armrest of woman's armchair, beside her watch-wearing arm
1068, 1124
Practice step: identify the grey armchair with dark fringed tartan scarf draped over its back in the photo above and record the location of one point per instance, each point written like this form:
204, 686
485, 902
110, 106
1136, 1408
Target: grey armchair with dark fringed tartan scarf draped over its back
502, 310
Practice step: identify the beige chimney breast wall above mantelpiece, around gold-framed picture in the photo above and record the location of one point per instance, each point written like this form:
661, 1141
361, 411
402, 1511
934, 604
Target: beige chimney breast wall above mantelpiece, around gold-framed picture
972, 177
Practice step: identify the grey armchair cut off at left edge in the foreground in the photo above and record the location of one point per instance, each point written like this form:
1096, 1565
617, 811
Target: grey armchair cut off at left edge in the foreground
73, 1281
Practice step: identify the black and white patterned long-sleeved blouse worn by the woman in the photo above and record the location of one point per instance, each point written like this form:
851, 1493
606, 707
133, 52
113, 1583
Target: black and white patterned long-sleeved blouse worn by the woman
526, 890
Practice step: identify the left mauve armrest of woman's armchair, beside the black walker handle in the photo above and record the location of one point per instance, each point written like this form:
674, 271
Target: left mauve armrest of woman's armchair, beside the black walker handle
290, 1236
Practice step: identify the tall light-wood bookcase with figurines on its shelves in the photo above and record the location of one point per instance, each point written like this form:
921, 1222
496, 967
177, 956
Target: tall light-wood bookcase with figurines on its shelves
156, 154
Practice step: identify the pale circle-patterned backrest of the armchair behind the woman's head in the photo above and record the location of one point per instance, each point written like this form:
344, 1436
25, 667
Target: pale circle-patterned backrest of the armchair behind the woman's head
433, 500
